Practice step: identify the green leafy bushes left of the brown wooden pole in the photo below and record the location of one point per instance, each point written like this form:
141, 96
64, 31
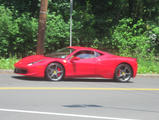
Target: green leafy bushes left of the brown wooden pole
17, 36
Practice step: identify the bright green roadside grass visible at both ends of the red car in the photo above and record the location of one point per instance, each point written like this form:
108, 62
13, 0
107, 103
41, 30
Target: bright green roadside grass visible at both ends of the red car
151, 67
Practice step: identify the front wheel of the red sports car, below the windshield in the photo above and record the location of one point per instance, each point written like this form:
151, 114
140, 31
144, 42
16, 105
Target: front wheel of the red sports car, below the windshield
55, 72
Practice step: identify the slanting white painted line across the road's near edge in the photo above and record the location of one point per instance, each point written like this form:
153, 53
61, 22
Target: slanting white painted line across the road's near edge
63, 114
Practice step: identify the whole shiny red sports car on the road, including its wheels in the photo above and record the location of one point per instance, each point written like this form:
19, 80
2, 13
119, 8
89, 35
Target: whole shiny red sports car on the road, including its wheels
78, 62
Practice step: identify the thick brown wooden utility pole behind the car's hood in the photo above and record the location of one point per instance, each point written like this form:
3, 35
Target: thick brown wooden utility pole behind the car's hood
42, 27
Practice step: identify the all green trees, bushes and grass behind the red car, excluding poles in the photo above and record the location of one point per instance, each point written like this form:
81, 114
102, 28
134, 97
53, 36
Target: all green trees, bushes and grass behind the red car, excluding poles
123, 27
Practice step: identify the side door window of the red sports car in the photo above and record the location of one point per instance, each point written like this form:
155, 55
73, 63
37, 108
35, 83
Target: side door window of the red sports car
85, 54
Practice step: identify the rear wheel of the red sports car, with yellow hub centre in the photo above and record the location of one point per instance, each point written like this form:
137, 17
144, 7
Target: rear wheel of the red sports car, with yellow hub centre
123, 73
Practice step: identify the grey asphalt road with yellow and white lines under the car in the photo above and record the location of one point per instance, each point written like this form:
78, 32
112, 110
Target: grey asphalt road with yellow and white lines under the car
23, 98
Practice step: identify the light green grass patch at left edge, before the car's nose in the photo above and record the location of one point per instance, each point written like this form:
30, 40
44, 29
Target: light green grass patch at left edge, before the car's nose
7, 63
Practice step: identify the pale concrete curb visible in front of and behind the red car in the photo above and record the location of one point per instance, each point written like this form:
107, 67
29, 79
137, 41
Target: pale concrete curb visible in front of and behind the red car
138, 75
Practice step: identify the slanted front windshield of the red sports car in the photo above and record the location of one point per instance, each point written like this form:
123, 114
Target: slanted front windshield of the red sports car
61, 53
